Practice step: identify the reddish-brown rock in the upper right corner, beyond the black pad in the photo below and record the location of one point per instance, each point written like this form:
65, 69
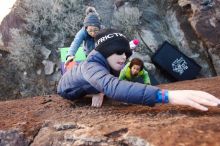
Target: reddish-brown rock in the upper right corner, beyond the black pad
205, 21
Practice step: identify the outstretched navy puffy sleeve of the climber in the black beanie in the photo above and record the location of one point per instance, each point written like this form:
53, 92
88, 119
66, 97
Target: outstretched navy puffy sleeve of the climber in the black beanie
100, 78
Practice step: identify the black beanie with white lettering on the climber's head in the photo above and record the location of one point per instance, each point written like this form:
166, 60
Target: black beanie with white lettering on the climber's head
110, 41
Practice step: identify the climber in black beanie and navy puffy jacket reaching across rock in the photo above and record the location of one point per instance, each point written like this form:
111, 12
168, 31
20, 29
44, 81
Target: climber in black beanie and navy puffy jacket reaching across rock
95, 76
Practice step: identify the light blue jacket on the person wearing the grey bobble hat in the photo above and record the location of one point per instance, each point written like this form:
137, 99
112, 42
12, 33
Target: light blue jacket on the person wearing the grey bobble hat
82, 37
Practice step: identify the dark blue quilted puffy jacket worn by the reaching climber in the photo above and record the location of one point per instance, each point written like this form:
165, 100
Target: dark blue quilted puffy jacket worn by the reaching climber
93, 76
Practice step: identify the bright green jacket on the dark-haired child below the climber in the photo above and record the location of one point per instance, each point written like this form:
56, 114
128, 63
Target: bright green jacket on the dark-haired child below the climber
125, 74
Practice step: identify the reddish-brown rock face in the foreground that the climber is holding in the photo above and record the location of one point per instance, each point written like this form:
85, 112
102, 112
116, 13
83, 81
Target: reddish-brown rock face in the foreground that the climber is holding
51, 120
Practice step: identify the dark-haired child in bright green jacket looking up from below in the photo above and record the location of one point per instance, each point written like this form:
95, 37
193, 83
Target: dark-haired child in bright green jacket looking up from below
134, 71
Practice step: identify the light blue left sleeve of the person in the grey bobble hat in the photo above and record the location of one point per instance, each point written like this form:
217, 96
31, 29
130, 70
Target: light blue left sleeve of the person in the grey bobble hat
78, 40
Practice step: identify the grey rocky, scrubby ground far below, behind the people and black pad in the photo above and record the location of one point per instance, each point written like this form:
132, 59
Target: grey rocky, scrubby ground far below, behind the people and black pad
34, 30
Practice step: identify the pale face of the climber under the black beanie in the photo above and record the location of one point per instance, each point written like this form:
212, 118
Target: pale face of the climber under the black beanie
117, 61
